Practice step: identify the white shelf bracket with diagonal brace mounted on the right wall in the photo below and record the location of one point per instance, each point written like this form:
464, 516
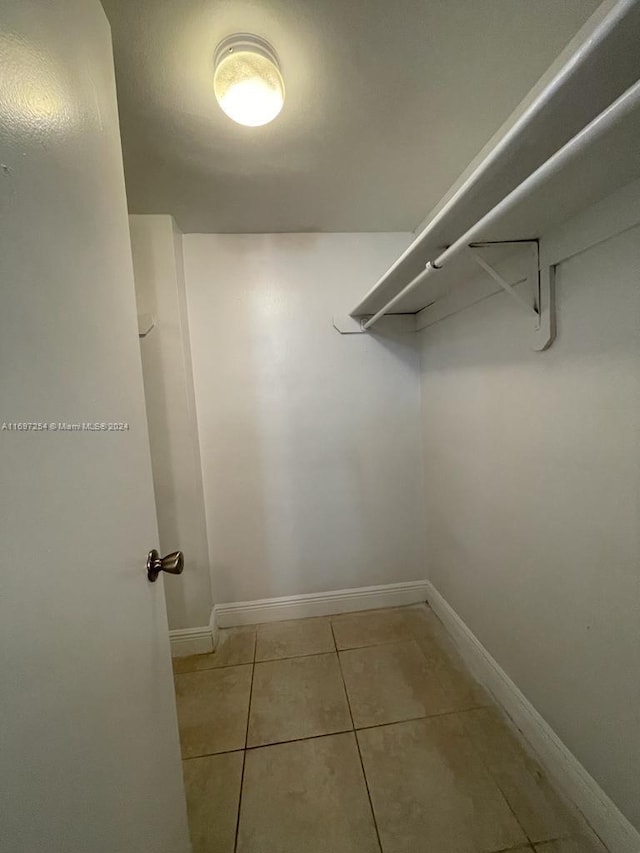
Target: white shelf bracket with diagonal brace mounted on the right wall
541, 287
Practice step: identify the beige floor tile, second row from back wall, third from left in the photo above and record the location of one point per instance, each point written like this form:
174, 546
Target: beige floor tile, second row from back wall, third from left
391, 682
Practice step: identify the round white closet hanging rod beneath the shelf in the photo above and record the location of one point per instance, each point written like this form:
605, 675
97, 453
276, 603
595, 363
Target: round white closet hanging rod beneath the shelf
614, 113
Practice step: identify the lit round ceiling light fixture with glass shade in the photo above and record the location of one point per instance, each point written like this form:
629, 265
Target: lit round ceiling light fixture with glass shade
247, 81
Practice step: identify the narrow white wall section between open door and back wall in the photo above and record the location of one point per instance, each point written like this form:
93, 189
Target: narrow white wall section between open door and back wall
173, 431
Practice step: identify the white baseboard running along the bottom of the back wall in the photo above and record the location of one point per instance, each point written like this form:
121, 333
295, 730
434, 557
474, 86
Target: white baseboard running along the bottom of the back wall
319, 604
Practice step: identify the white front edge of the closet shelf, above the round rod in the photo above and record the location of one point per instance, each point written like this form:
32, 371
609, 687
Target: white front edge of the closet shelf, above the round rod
573, 64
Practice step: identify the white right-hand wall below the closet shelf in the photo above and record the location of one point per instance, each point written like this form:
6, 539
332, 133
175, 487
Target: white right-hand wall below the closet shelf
532, 472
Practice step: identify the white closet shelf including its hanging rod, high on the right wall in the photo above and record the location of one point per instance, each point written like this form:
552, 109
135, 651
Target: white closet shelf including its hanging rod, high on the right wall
519, 188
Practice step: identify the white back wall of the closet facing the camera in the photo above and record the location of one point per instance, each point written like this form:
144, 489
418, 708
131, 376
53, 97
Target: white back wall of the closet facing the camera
310, 440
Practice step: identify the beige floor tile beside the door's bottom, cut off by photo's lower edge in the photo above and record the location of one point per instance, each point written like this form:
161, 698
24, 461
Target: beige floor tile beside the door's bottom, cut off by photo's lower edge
212, 786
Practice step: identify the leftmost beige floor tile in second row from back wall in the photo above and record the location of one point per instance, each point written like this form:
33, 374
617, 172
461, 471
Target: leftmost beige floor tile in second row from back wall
212, 709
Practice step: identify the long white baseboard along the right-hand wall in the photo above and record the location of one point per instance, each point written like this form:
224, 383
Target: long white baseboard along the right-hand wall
562, 766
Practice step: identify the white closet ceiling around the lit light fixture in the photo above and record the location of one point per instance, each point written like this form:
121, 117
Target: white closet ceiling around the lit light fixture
387, 102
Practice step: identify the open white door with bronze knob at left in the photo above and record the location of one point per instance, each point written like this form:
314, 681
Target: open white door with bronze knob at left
89, 754
